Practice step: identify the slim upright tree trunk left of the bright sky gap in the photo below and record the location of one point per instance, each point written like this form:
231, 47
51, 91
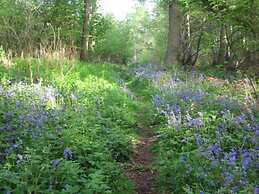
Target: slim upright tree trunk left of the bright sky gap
84, 40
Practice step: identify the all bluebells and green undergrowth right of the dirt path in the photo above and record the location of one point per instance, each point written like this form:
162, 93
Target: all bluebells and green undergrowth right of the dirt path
209, 143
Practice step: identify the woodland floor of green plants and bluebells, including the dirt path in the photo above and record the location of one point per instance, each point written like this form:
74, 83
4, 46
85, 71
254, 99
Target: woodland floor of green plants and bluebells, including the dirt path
115, 129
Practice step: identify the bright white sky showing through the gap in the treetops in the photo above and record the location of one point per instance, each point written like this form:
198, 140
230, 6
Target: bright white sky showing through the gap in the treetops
120, 8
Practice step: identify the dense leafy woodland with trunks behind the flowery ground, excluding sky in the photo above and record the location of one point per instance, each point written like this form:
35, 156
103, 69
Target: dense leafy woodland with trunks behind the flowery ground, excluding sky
190, 33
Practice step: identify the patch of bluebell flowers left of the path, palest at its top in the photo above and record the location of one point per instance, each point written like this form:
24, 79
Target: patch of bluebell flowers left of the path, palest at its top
31, 110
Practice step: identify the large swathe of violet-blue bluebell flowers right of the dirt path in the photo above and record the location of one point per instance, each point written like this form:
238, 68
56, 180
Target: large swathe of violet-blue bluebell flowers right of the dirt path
227, 143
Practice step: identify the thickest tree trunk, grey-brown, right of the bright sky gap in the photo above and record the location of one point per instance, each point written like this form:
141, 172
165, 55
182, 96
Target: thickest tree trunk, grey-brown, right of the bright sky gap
174, 36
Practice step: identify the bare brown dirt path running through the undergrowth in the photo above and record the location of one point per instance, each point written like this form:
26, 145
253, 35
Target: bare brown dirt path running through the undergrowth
141, 172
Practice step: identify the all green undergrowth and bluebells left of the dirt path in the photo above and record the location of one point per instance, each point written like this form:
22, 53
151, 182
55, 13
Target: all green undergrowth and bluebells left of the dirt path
67, 132
